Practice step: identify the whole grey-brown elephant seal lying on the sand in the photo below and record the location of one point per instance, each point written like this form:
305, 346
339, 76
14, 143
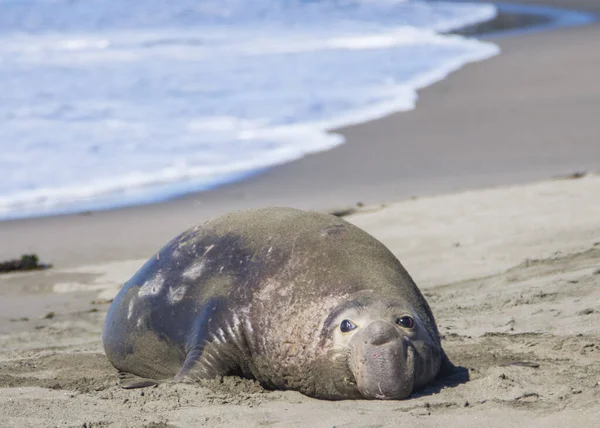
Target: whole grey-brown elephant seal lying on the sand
296, 300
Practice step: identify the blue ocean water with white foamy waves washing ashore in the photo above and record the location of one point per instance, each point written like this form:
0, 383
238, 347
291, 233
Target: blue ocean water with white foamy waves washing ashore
106, 103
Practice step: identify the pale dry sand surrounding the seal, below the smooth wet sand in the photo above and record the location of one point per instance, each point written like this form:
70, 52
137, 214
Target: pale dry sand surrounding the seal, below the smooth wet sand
512, 275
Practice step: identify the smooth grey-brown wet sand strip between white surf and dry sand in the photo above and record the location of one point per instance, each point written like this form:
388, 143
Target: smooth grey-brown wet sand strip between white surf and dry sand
476, 144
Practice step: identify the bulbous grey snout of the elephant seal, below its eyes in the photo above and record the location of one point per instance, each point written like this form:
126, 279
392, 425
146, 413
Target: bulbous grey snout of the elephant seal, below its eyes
383, 362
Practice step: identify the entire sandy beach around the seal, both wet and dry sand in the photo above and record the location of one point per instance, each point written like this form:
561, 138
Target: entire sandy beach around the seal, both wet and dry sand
482, 209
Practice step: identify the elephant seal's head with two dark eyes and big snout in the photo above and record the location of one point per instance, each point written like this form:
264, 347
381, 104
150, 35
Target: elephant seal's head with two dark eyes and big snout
386, 346
